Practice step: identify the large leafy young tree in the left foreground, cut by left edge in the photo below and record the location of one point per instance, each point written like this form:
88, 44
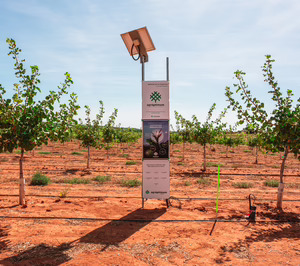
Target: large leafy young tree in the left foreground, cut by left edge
26, 122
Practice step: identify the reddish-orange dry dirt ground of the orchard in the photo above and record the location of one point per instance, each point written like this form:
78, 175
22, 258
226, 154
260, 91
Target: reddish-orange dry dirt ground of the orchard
105, 224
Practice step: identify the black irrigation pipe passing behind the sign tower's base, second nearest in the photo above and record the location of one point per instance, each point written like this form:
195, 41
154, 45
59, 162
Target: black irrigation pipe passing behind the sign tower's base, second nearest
135, 197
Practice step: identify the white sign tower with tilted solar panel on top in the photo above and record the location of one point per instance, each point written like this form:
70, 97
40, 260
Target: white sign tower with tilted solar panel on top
155, 119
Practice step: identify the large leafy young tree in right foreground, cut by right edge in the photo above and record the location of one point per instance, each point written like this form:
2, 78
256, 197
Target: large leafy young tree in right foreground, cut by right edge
280, 129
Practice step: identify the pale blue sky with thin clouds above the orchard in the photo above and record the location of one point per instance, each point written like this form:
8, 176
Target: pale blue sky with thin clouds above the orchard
206, 41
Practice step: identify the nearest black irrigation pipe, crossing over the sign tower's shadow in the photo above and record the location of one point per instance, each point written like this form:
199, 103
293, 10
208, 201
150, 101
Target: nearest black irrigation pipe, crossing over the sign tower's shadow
148, 220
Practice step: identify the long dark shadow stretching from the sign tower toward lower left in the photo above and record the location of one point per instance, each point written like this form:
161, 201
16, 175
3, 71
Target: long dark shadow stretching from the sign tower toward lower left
112, 233
